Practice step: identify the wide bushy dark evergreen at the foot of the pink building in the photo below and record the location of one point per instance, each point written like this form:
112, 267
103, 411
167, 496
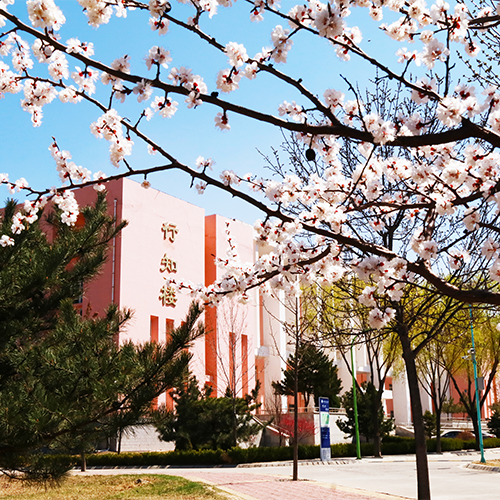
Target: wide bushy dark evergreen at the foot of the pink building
200, 421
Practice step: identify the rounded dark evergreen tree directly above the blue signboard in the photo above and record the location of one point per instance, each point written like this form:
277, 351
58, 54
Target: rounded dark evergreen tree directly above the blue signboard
318, 376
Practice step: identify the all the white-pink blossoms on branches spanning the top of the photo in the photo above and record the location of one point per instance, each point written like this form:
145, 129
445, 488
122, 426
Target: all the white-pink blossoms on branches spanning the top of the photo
319, 216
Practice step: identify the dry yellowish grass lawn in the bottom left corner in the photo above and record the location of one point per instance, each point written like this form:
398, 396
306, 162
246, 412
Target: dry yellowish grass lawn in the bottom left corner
123, 487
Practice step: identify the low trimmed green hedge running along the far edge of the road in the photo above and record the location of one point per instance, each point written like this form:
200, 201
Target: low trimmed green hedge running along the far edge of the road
392, 445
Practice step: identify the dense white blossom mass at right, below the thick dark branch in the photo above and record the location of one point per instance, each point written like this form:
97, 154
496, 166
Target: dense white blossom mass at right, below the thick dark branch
436, 177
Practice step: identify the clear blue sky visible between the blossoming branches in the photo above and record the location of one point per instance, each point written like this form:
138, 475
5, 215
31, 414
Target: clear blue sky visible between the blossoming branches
190, 133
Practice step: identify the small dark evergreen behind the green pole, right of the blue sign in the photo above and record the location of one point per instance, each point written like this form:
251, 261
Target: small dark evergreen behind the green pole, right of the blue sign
368, 404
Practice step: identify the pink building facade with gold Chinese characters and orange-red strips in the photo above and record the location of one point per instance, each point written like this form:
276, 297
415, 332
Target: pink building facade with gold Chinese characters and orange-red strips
167, 237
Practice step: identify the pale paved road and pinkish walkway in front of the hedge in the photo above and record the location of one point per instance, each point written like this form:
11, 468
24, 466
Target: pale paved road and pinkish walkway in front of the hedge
368, 479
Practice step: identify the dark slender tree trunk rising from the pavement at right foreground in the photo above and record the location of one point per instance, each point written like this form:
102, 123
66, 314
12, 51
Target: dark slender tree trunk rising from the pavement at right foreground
423, 483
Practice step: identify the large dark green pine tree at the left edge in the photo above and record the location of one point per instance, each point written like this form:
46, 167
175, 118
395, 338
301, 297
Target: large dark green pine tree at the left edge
64, 381
